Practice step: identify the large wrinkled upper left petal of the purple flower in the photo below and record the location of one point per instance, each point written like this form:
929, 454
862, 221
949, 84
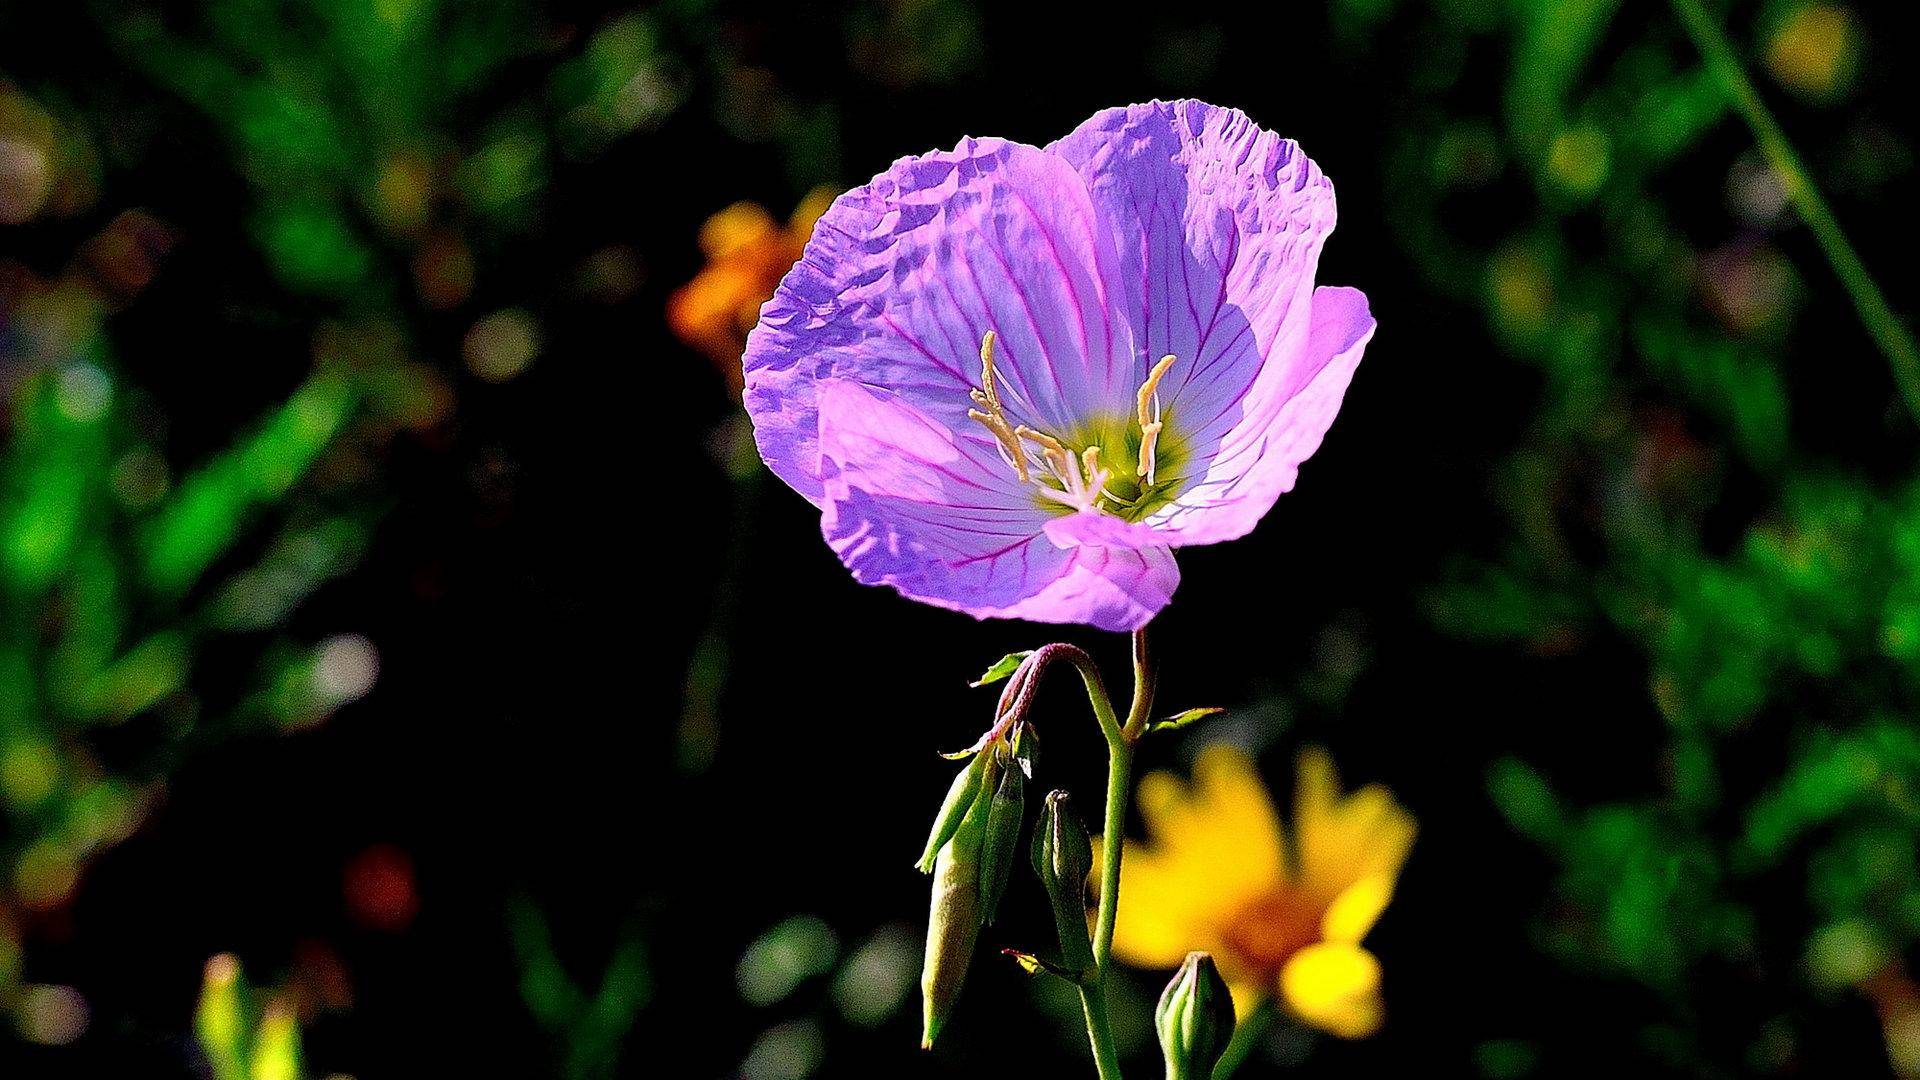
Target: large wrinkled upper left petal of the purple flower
909, 272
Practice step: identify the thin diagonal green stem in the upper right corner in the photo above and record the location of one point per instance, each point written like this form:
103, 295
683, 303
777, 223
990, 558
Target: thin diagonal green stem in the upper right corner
1894, 339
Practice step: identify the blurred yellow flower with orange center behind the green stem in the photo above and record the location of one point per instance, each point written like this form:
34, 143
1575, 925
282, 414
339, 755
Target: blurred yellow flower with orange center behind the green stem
1284, 914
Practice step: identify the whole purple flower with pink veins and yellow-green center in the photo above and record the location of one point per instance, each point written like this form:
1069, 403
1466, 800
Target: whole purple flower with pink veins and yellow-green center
1015, 380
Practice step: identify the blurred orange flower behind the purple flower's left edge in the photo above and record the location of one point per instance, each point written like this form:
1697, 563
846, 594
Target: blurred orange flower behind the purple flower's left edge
748, 253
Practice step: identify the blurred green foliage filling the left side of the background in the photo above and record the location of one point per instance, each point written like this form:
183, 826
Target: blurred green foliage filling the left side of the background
379, 193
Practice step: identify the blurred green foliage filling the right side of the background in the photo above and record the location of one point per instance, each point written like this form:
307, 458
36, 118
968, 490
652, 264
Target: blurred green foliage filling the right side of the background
1781, 647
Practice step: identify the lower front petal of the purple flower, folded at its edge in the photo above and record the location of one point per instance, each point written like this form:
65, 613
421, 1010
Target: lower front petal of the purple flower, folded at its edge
936, 518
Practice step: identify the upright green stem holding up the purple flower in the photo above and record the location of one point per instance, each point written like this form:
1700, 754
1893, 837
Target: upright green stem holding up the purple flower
1118, 791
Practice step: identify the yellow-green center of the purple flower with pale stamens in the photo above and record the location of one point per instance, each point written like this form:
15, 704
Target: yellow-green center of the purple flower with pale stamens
1068, 470
